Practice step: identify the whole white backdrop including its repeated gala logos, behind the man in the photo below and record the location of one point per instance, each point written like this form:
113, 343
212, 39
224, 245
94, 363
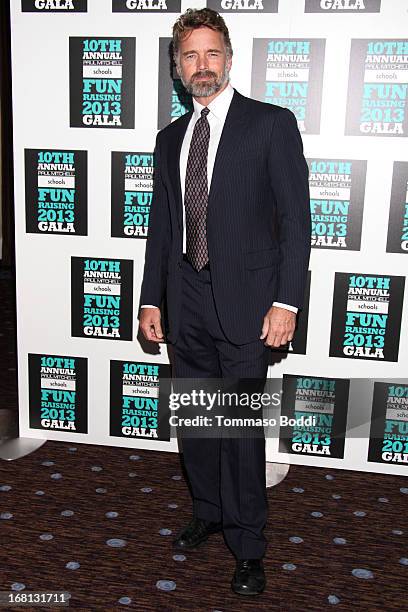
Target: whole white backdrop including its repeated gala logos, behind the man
92, 84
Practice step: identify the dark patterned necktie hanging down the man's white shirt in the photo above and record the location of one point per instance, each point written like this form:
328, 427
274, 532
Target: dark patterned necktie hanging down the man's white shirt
196, 193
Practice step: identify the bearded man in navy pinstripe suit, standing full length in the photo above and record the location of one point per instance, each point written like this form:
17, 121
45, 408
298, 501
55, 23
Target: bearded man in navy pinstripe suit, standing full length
228, 246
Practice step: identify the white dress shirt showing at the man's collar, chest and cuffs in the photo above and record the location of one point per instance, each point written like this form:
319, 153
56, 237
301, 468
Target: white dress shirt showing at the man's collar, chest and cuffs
216, 118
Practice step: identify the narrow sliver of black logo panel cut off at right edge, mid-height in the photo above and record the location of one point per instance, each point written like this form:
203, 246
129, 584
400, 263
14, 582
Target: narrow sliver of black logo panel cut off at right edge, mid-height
397, 241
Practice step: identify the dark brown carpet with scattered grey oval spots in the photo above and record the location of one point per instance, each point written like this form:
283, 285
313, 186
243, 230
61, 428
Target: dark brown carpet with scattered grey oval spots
98, 522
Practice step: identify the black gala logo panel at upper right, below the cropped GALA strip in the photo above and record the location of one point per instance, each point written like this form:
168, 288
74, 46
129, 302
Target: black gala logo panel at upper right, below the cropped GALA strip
378, 88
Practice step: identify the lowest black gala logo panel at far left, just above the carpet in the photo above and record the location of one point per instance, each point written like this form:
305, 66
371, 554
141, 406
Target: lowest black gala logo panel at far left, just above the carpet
58, 393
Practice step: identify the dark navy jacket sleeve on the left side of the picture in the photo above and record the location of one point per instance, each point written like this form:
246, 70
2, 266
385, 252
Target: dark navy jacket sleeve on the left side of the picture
158, 239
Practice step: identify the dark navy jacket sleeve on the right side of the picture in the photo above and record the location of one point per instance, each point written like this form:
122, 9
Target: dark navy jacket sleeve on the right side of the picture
289, 180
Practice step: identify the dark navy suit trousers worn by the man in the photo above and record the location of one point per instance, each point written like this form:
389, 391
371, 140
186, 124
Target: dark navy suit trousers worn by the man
226, 474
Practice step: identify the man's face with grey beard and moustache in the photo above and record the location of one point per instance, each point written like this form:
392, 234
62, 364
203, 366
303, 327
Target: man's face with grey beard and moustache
203, 64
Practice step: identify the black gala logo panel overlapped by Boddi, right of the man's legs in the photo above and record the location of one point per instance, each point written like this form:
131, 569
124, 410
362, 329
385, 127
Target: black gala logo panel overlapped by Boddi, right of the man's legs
315, 410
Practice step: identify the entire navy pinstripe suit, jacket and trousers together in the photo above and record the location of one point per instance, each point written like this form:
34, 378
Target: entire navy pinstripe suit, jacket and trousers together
258, 235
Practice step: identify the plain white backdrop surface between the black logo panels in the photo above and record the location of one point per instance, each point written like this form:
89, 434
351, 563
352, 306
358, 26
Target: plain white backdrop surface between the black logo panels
41, 109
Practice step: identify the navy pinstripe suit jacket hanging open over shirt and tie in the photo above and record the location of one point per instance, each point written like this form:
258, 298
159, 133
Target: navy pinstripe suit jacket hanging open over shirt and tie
258, 219
